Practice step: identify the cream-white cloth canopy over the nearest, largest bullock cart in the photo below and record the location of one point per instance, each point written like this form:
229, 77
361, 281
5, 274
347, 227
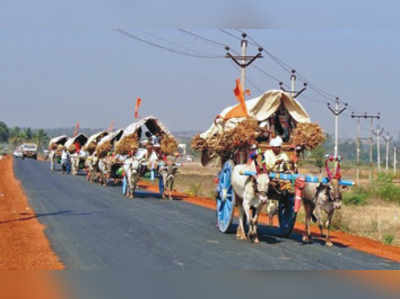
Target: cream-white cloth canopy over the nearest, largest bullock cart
261, 108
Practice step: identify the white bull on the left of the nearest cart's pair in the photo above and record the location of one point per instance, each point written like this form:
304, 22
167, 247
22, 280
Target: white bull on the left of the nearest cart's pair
251, 194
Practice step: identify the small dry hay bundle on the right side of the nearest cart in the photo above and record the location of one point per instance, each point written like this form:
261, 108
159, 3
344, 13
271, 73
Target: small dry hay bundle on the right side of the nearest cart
309, 135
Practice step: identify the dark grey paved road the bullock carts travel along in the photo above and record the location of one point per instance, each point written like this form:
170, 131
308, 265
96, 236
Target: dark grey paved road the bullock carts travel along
92, 227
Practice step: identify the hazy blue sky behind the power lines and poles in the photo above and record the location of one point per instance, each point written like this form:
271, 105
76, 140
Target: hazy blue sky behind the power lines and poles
61, 62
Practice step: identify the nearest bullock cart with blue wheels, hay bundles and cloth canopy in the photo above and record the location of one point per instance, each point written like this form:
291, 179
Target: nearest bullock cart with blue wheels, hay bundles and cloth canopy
231, 139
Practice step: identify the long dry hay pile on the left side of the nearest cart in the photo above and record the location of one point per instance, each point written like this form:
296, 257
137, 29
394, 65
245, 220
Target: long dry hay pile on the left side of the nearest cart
242, 136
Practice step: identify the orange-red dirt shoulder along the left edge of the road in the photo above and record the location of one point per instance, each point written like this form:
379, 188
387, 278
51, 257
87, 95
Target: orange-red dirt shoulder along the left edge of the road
23, 245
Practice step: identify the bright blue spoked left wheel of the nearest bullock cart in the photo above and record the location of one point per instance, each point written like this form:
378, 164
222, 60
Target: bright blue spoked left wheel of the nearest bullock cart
225, 198
